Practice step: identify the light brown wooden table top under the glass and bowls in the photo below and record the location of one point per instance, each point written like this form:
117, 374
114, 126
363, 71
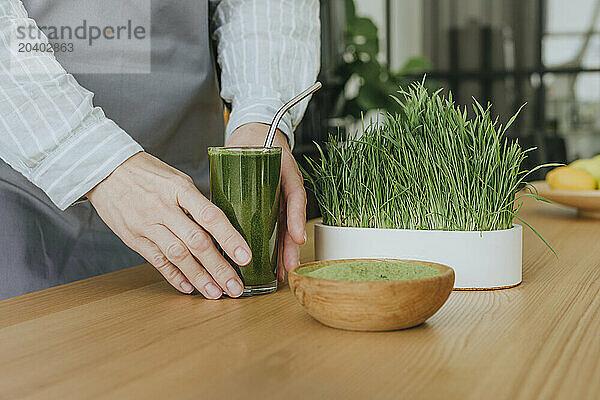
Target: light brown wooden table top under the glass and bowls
129, 335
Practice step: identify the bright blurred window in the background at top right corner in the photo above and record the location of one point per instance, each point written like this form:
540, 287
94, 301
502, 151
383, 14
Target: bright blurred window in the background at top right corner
571, 46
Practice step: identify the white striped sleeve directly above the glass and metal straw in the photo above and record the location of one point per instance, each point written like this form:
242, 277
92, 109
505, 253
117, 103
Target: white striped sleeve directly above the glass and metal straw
268, 51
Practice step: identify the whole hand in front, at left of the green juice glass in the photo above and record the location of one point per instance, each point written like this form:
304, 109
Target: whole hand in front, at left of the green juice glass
147, 203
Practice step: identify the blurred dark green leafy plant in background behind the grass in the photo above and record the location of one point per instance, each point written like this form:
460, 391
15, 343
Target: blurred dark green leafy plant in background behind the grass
367, 82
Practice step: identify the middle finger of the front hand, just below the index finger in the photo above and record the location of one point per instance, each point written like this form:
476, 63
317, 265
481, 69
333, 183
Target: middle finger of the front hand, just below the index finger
200, 244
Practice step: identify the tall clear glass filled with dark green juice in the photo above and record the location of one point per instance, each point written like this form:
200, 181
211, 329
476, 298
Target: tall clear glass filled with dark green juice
244, 183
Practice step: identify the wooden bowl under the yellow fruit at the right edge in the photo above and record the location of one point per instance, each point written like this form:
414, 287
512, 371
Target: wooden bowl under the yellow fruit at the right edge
587, 202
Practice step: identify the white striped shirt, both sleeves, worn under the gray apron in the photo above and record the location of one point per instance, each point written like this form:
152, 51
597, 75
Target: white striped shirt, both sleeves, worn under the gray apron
51, 132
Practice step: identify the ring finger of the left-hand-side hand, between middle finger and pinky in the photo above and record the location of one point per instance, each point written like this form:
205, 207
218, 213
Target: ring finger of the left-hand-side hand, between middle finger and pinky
178, 254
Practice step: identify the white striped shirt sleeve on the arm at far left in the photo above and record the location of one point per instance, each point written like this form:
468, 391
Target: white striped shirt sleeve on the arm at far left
49, 129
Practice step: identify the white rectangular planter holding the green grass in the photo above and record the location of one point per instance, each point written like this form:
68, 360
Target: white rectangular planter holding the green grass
481, 260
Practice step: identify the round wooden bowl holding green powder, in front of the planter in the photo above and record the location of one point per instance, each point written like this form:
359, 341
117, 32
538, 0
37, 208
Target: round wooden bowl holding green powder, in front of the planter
372, 306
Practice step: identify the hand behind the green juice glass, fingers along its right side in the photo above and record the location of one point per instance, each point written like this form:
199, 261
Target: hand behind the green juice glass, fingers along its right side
293, 210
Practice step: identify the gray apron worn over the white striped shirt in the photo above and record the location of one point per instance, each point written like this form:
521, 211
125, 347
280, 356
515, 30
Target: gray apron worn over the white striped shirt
174, 112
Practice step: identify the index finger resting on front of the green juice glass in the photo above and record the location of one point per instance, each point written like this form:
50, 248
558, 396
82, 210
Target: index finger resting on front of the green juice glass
211, 218
